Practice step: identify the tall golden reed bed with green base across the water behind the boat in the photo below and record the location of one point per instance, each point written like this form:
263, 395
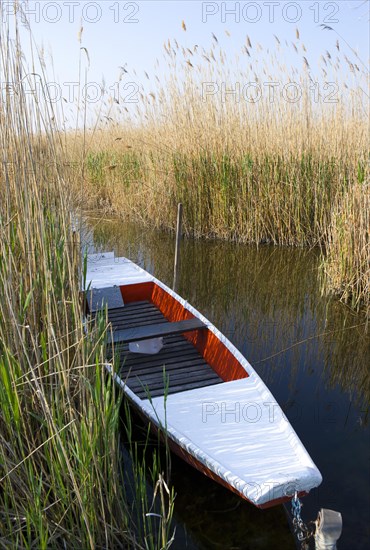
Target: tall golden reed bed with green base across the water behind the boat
269, 171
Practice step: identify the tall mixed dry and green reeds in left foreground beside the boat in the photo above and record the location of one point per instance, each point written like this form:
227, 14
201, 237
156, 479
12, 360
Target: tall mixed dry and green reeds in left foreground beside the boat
61, 468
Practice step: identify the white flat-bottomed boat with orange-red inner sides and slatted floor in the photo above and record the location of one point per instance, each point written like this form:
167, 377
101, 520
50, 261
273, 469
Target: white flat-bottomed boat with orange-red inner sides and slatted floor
186, 378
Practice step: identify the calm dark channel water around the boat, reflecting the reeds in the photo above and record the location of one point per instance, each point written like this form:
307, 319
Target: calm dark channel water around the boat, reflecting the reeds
313, 354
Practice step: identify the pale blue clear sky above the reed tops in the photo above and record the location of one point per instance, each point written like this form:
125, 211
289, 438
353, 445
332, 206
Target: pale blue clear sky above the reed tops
120, 40
